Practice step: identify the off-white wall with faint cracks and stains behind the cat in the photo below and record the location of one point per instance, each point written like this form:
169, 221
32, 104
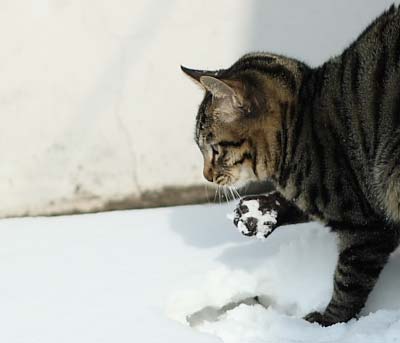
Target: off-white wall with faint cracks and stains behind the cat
93, 104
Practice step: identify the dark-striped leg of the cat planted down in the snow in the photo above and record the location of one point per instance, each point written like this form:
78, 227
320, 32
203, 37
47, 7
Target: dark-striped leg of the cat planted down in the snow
363, 252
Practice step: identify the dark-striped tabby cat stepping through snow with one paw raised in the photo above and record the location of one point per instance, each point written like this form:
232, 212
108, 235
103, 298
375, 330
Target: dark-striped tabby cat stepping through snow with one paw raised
328, 138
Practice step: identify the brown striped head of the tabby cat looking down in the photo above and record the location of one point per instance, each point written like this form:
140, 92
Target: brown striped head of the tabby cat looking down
238, 125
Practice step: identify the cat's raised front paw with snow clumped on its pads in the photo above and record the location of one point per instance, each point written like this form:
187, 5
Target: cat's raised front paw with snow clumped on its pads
253, 219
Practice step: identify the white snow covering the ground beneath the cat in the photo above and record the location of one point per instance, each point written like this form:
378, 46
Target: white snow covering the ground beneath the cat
136, 276
